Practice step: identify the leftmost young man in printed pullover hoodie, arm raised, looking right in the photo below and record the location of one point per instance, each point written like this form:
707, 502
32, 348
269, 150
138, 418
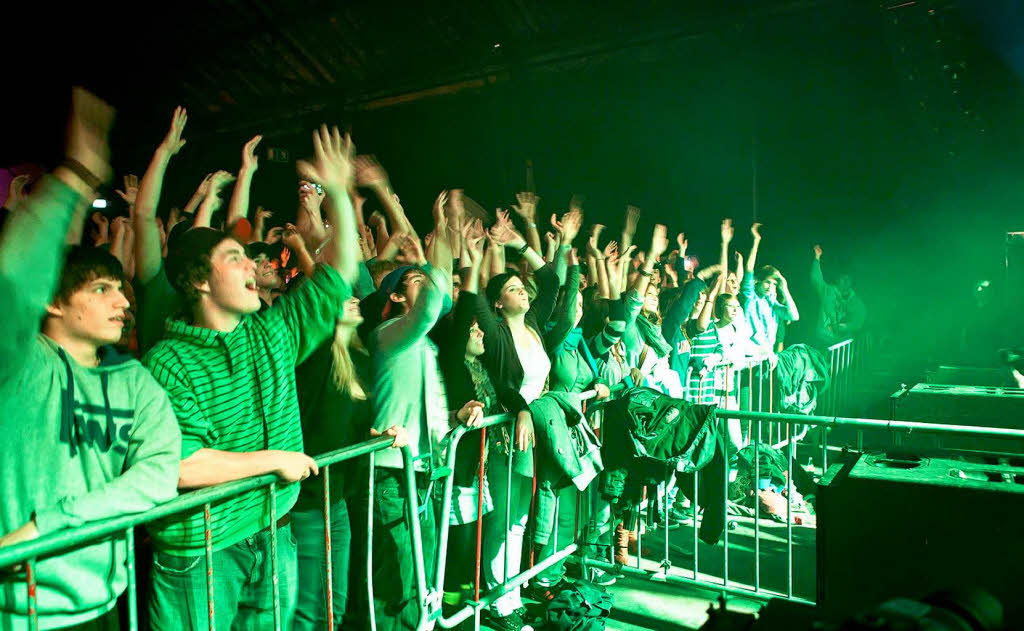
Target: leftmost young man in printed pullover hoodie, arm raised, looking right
91, 435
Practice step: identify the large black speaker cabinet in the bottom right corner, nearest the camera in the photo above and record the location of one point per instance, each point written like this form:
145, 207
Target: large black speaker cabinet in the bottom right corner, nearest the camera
907, 526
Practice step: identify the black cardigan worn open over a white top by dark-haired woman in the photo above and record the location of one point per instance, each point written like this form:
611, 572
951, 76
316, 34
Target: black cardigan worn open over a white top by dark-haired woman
501, 359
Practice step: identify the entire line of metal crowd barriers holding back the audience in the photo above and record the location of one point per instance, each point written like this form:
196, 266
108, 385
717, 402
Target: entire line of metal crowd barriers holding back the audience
784, 431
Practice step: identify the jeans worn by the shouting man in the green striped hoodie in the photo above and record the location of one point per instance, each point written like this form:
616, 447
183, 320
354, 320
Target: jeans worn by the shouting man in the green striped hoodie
243, 586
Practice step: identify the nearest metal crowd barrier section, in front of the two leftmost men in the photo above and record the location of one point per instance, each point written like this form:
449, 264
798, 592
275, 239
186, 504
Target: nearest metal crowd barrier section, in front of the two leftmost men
31, 553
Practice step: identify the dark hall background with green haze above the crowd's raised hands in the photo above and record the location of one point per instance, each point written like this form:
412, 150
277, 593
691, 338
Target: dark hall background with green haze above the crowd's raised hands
890, 134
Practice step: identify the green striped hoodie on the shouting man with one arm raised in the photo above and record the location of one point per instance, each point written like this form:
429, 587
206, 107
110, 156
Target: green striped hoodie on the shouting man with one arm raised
236, 393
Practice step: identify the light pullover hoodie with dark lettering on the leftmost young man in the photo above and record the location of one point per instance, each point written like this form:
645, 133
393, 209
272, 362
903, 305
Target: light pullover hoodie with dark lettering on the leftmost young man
79, 444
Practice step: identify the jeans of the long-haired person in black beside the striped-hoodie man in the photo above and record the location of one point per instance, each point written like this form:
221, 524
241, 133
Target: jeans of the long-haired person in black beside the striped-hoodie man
308, 526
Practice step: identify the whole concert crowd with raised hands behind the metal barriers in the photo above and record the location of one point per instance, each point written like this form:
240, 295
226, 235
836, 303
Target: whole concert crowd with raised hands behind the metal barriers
175, 350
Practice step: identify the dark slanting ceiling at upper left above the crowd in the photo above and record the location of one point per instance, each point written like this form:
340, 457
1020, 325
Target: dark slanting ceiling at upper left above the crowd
247, 63
